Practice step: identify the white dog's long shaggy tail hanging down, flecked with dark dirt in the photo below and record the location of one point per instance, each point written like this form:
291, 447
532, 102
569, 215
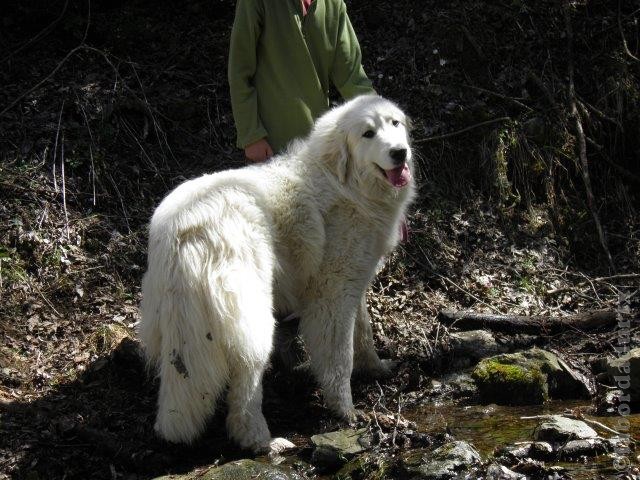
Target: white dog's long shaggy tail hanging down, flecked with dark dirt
181, 333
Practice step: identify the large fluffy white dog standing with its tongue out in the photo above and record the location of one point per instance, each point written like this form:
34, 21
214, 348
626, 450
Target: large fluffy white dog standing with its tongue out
302, 233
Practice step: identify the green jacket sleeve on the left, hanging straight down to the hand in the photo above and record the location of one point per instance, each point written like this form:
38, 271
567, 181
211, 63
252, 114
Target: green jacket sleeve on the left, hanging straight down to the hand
245, 34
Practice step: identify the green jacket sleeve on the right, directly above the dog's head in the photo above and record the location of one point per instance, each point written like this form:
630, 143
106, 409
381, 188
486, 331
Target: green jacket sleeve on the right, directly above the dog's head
347, 73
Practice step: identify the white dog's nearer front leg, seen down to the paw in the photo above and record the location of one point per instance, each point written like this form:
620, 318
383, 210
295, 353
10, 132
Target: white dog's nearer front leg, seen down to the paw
327, 326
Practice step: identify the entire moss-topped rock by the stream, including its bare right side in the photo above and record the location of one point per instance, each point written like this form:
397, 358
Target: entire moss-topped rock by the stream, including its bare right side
528, 378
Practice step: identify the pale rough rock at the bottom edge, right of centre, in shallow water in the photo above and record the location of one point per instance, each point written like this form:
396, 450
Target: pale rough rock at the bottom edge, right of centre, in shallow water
443, 463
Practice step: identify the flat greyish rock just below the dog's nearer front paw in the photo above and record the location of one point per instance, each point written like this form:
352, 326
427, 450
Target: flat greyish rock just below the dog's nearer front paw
334, 449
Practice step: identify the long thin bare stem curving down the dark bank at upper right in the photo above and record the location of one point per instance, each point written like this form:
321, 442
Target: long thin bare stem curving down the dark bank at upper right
582, 142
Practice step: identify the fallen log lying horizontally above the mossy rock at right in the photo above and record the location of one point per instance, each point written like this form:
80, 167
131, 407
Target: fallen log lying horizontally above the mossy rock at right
534, 324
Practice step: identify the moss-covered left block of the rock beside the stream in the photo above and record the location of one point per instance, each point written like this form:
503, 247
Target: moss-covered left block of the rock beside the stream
506, 384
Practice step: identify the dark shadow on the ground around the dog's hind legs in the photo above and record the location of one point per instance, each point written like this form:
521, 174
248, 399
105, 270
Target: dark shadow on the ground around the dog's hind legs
101, 425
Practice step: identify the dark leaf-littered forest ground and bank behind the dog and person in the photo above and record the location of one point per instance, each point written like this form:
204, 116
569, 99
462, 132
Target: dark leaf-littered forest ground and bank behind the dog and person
102, 112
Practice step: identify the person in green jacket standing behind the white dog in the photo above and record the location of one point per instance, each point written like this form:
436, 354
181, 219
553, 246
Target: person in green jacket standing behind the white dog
284, 55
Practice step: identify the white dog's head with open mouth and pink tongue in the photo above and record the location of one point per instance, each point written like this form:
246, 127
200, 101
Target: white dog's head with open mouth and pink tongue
367, 142
